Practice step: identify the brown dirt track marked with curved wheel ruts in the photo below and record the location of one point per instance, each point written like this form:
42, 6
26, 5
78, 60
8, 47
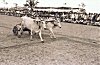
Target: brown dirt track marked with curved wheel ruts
75, 45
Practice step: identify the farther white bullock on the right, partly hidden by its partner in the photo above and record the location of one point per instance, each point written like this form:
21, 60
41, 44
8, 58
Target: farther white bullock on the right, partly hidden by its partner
51, 24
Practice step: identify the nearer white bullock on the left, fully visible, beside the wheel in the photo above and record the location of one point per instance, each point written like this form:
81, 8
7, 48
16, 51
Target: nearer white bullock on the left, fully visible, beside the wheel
33, 26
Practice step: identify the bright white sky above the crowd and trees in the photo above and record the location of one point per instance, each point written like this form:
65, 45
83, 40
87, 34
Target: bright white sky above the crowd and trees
91, 5
